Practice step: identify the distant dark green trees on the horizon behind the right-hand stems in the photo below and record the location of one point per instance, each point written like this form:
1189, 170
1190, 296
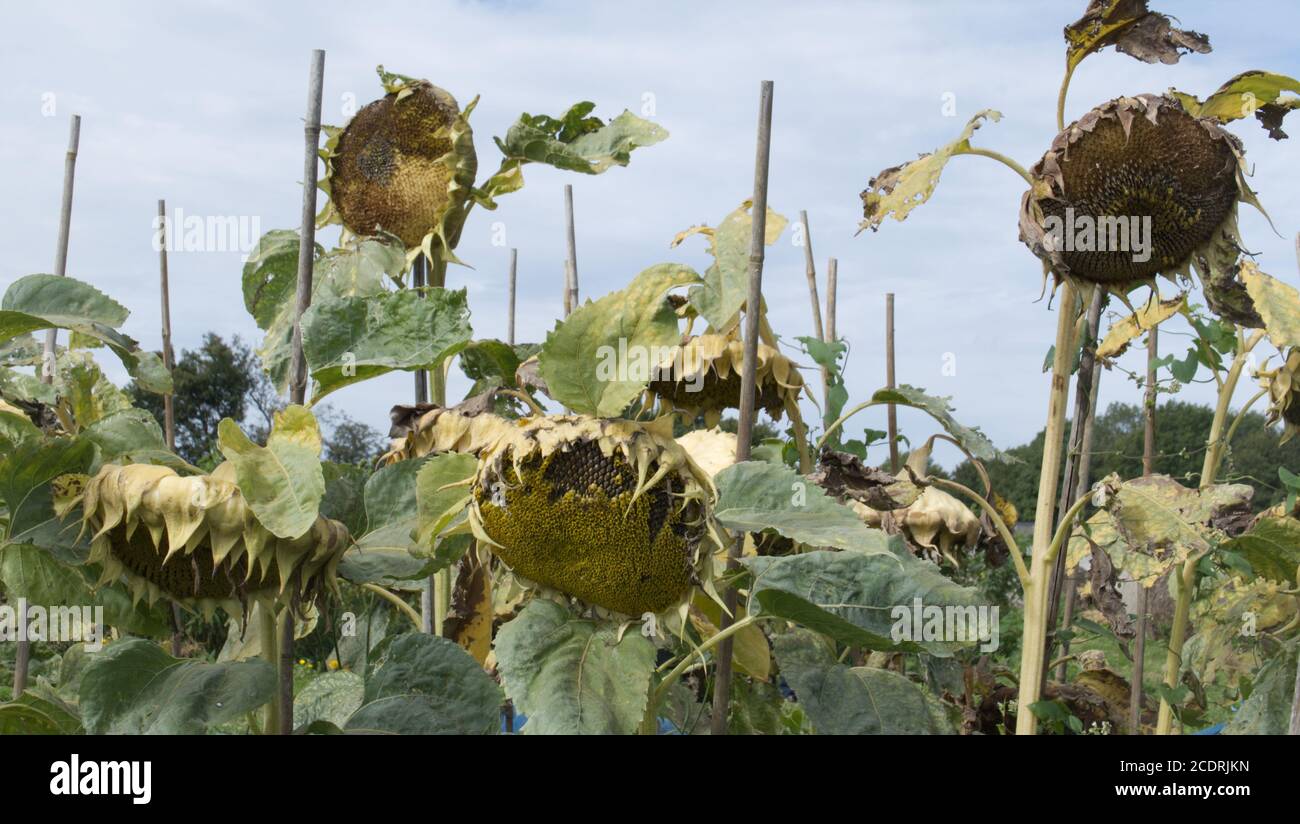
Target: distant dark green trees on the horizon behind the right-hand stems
1254, 457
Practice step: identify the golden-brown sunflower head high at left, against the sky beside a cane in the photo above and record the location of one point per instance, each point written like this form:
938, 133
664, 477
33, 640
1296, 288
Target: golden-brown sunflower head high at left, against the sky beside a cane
405, 164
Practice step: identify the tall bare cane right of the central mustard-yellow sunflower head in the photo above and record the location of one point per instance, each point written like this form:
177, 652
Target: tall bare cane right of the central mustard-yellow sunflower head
746, 427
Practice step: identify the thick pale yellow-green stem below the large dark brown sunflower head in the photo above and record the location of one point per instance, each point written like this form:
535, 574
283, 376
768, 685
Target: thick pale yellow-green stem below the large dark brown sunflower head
1041, 566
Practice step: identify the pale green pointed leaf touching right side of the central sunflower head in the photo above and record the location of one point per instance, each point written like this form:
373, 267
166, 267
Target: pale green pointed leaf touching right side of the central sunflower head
757, 496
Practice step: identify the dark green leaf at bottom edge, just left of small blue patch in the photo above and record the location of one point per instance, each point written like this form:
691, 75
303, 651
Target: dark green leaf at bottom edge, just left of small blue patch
430, 686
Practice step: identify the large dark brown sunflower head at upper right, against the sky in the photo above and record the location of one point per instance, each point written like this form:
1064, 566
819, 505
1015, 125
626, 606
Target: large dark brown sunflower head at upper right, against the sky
1134, 189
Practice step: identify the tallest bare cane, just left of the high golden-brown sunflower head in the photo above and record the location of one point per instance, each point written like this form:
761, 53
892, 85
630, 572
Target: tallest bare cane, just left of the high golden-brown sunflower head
298, 387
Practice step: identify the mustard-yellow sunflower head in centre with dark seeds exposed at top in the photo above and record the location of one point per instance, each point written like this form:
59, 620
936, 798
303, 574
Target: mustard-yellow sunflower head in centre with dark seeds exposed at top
612, 513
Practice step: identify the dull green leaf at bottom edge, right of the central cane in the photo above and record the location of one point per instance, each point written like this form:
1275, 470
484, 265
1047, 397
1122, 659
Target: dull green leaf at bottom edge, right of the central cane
853, 701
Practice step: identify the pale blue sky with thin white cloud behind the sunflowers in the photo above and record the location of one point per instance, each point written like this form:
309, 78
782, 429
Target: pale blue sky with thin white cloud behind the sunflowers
202, 105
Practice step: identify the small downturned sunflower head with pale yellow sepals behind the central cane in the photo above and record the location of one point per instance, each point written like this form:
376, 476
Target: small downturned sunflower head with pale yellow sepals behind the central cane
704, 378
